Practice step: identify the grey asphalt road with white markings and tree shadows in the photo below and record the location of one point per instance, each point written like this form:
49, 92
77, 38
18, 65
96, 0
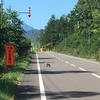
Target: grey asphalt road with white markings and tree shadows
68, 78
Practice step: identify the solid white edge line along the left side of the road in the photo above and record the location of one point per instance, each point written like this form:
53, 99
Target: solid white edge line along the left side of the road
42, 90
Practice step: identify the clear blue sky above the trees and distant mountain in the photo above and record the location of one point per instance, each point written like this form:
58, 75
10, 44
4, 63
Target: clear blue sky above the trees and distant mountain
41, 10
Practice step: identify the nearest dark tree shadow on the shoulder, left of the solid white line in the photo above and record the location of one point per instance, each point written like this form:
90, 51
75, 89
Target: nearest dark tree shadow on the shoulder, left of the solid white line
25, 92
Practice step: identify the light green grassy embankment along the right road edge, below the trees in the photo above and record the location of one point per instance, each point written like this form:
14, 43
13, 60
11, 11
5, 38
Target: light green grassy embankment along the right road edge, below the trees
79, 51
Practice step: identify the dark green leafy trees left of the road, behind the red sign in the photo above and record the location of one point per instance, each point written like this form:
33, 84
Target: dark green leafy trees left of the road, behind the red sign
11, 32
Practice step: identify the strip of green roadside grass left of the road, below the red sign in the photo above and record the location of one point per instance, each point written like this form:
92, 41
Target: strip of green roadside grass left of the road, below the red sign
10, 79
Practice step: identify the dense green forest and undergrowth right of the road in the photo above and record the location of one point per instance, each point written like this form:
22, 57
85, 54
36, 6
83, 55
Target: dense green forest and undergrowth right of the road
77, 33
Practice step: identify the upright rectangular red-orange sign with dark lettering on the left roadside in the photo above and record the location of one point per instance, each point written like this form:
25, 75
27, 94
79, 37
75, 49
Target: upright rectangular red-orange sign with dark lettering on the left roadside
9, 55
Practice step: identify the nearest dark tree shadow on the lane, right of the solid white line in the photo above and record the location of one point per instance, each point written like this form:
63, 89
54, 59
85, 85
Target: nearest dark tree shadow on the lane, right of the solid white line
70, 94
